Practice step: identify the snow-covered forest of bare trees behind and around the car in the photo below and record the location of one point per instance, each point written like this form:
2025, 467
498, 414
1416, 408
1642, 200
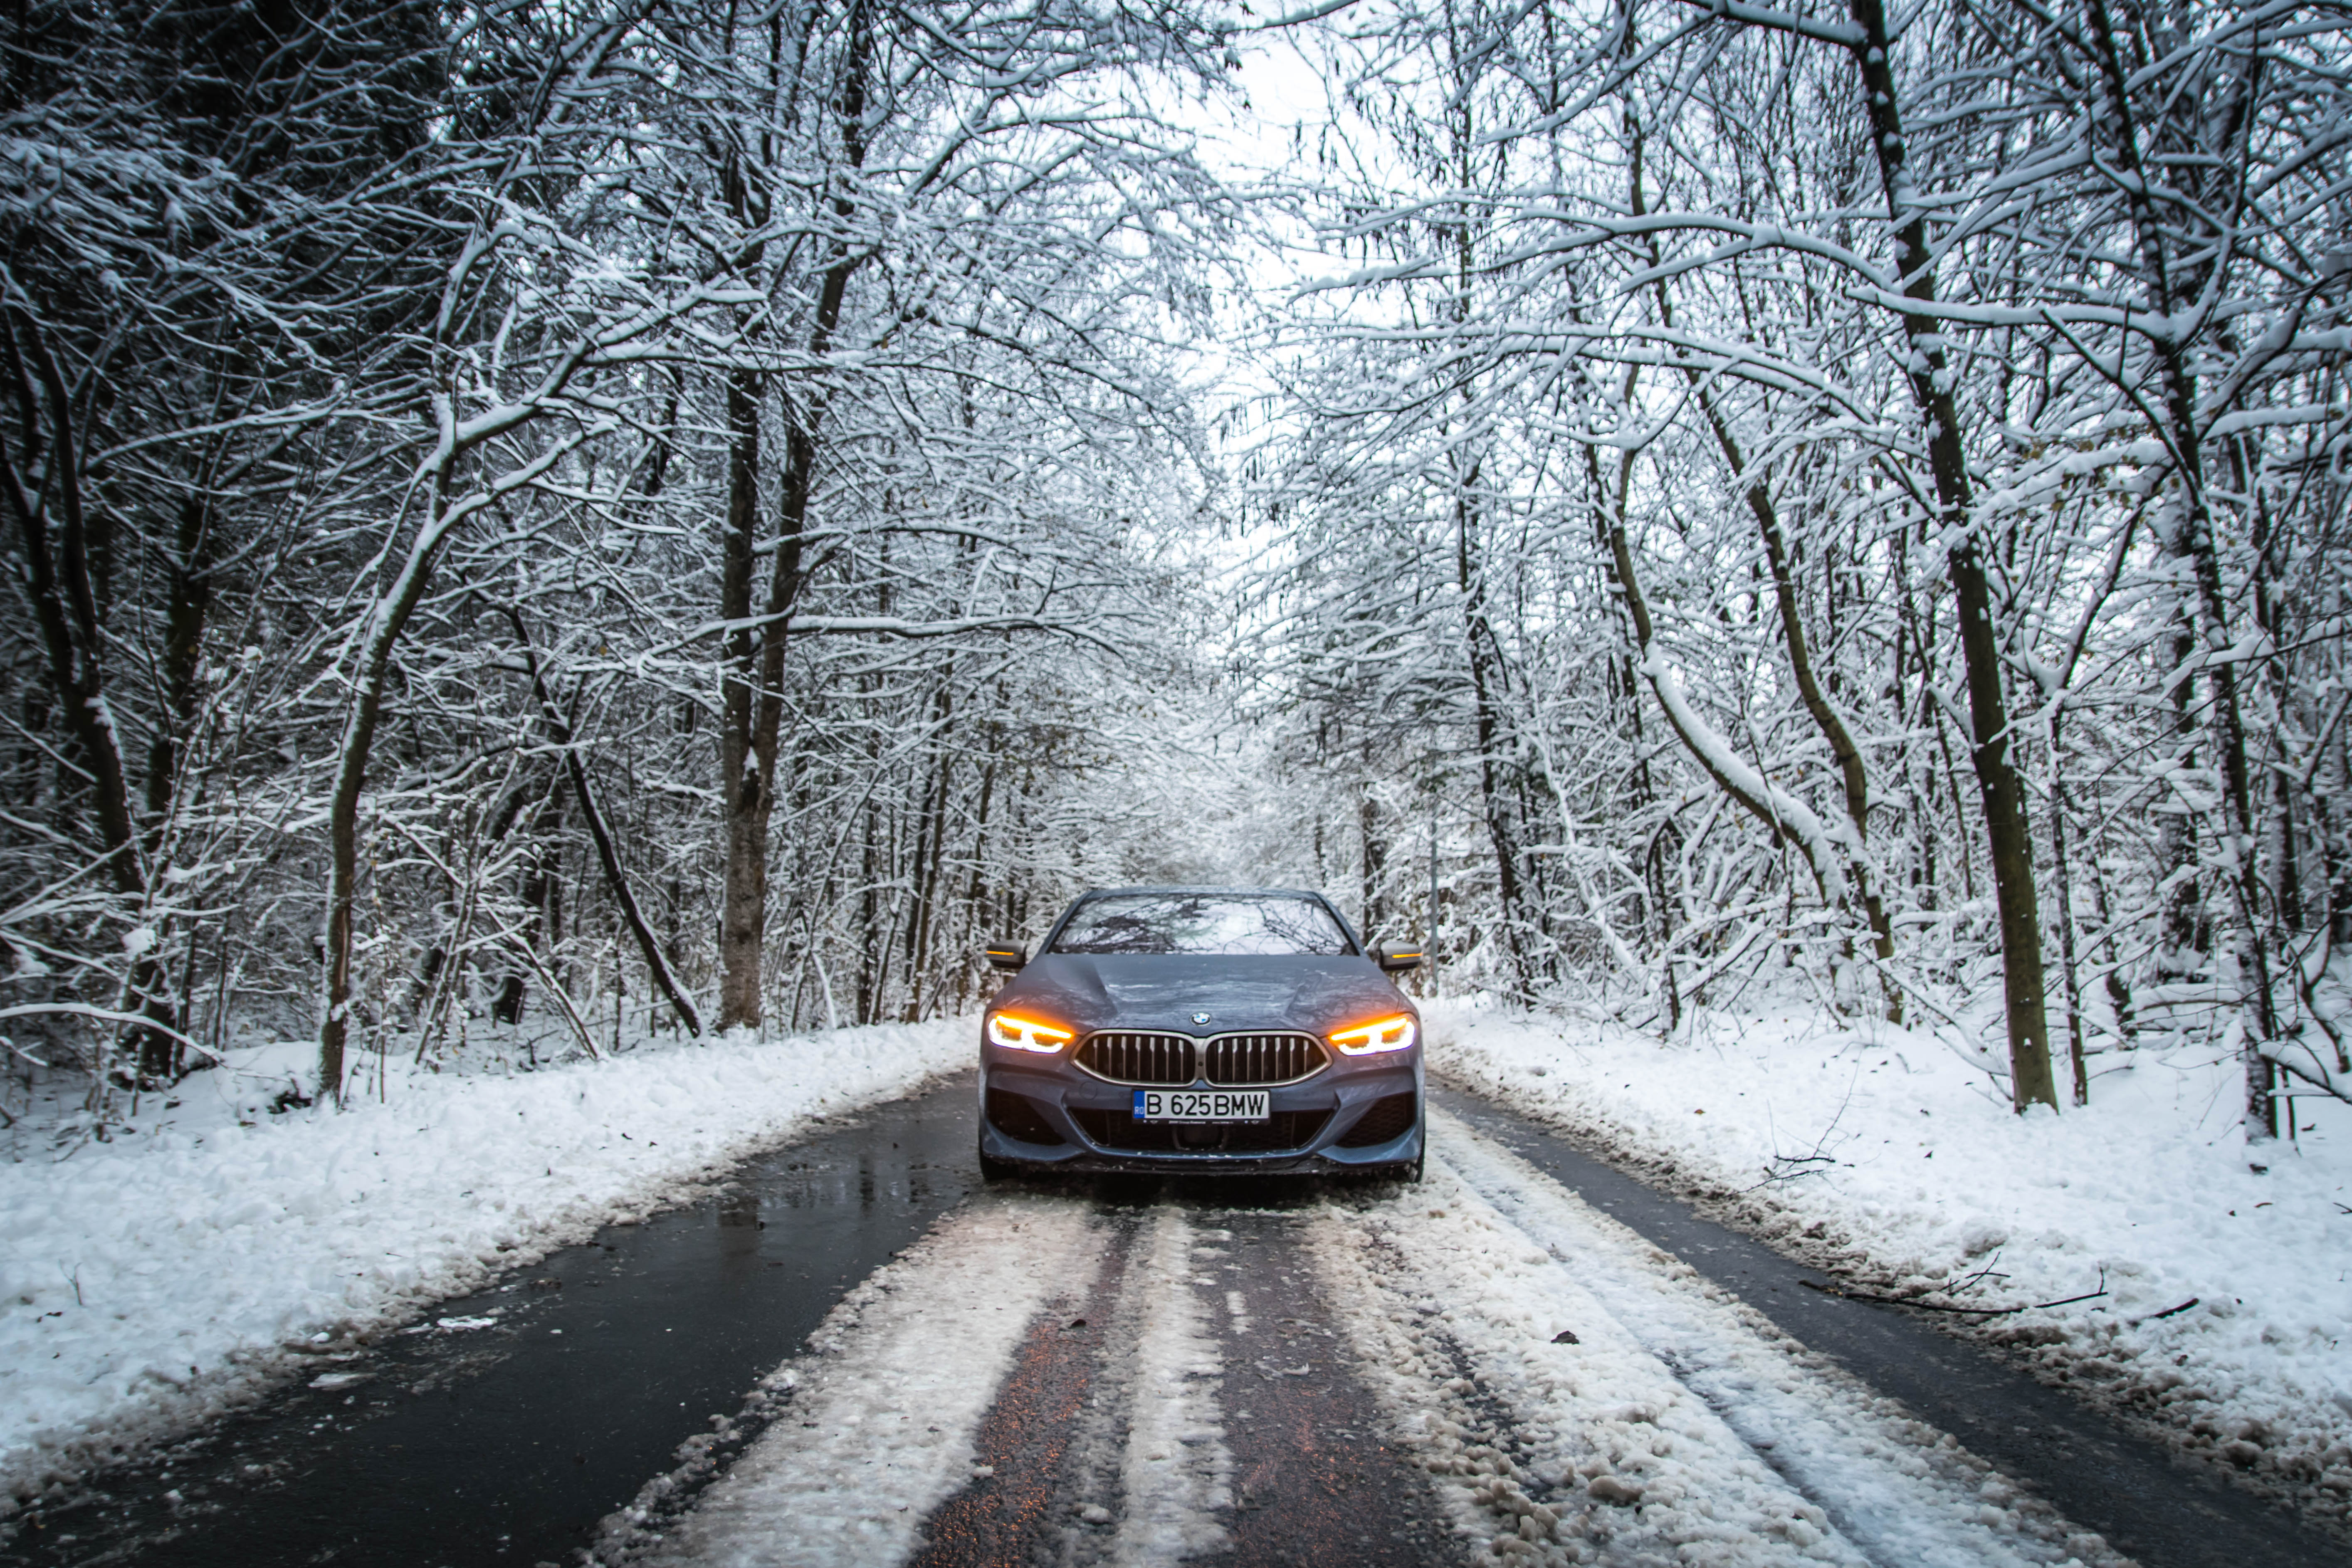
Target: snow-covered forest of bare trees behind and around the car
540, 521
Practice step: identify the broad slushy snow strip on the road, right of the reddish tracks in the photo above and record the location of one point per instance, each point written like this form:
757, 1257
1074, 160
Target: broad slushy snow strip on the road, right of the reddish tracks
1553, 1369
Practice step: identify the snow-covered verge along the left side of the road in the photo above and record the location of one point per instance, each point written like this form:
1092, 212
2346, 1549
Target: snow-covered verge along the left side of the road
178, 1268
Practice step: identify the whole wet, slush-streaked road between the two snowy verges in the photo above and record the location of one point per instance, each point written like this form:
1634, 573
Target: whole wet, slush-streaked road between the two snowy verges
1231, 1374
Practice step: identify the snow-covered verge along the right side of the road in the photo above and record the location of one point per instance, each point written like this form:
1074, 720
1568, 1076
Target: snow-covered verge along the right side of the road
1890, 1160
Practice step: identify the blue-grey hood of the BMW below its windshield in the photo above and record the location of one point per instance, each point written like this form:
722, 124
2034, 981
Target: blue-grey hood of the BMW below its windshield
1238, 993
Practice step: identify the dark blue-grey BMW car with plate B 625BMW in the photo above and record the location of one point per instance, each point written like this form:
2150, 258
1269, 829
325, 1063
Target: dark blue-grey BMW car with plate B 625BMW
1201, 1031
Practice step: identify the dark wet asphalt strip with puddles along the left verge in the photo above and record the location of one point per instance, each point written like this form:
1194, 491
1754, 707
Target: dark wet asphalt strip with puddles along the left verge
505, 1445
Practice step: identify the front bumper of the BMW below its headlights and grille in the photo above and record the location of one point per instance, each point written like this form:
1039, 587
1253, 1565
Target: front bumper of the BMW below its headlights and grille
1050, 1115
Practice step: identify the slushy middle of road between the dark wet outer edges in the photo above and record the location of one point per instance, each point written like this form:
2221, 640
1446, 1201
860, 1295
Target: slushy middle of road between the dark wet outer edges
1474, 1369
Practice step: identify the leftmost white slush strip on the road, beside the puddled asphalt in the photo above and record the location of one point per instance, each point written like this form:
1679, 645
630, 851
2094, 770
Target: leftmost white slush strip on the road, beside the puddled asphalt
883, 1412
